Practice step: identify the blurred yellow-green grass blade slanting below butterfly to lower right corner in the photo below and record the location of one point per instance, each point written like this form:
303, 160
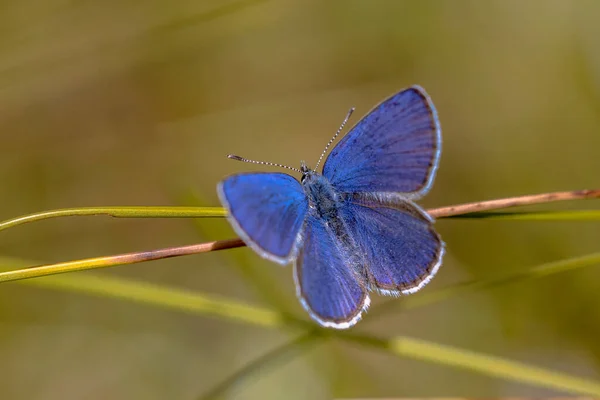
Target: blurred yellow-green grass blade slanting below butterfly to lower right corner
201, 304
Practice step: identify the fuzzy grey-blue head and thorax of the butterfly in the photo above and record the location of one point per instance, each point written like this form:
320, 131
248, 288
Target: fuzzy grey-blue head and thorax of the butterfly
323, 199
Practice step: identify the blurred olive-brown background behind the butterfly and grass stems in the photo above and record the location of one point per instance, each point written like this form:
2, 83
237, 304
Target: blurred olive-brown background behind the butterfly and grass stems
138, 103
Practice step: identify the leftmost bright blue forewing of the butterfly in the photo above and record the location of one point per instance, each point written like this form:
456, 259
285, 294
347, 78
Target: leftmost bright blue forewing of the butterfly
267, 211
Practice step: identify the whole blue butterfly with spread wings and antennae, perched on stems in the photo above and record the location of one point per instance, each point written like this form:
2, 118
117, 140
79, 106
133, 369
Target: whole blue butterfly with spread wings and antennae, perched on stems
354, 228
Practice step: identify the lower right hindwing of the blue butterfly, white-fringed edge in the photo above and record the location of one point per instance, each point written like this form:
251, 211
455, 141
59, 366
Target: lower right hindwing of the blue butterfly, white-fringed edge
402, 252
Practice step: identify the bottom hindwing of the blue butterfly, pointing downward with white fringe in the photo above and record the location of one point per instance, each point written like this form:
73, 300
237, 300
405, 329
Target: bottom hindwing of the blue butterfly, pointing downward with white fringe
326, 283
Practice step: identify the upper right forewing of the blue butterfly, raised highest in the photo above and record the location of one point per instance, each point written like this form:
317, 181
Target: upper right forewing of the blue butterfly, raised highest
393, 149
